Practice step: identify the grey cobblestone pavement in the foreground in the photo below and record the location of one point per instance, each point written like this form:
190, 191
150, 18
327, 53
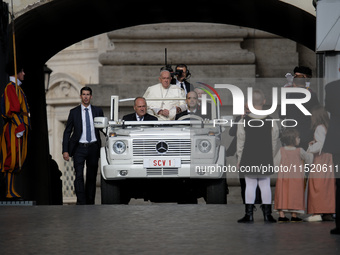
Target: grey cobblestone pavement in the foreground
155, 229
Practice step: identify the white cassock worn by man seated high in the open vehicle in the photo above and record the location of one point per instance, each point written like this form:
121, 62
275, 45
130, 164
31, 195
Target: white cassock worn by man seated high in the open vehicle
157, 91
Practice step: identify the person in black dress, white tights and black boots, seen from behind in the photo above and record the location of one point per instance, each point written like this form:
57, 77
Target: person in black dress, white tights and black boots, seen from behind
255, 148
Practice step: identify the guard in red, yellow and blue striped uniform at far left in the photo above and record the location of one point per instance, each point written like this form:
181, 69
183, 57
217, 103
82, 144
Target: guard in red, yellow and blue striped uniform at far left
16, 116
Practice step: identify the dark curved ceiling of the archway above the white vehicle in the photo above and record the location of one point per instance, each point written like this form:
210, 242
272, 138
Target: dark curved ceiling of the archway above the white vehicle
44, 31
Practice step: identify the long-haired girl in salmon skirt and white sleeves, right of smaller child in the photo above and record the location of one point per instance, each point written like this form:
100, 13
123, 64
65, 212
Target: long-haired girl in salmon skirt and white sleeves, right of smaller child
321, 182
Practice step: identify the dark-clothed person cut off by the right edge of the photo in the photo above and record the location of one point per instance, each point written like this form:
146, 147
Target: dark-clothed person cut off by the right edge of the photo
332, 141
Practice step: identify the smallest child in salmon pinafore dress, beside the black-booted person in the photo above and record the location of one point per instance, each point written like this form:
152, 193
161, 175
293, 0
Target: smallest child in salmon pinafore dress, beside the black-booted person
290, 184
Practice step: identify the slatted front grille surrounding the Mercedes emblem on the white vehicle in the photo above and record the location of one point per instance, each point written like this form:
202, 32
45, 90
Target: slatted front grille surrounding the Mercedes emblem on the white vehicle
147, 147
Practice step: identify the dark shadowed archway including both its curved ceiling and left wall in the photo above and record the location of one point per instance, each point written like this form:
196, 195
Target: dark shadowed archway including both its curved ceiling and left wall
43, 31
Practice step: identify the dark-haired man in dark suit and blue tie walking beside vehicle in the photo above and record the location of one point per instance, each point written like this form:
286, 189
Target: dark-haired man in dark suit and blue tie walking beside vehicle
82, 142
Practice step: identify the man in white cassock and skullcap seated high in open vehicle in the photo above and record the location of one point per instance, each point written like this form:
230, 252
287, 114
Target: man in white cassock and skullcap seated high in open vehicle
165, 109
